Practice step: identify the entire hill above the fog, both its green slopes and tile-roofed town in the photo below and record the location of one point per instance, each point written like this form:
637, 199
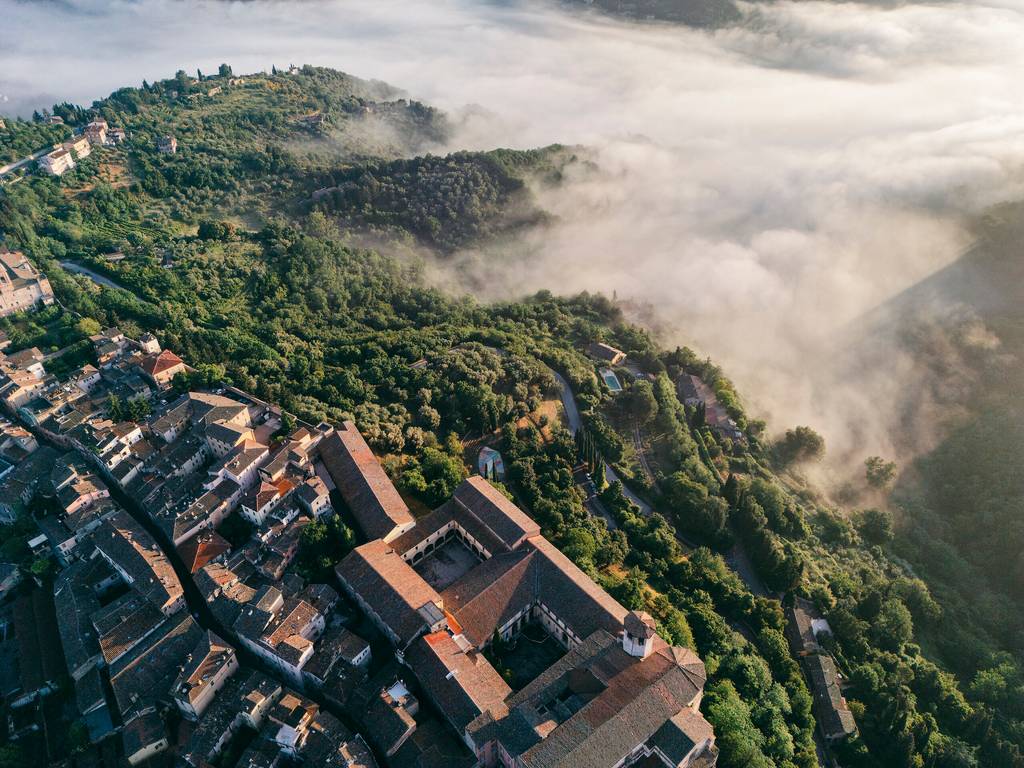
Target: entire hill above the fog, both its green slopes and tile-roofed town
271, 498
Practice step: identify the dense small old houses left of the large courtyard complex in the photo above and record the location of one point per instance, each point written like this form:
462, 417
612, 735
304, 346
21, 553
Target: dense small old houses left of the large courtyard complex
133, 651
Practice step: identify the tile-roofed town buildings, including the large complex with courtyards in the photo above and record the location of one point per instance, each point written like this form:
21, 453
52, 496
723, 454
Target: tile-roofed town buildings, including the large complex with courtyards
274, 669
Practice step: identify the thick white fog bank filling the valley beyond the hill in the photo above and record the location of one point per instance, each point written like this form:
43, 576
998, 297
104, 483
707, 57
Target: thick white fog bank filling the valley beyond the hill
762, 187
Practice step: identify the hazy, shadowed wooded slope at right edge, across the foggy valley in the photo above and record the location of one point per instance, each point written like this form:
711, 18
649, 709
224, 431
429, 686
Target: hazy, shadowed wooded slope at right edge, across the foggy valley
962, 505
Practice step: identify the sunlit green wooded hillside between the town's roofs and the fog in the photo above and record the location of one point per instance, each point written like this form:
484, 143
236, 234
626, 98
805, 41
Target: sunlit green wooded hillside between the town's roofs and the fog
223, 252
